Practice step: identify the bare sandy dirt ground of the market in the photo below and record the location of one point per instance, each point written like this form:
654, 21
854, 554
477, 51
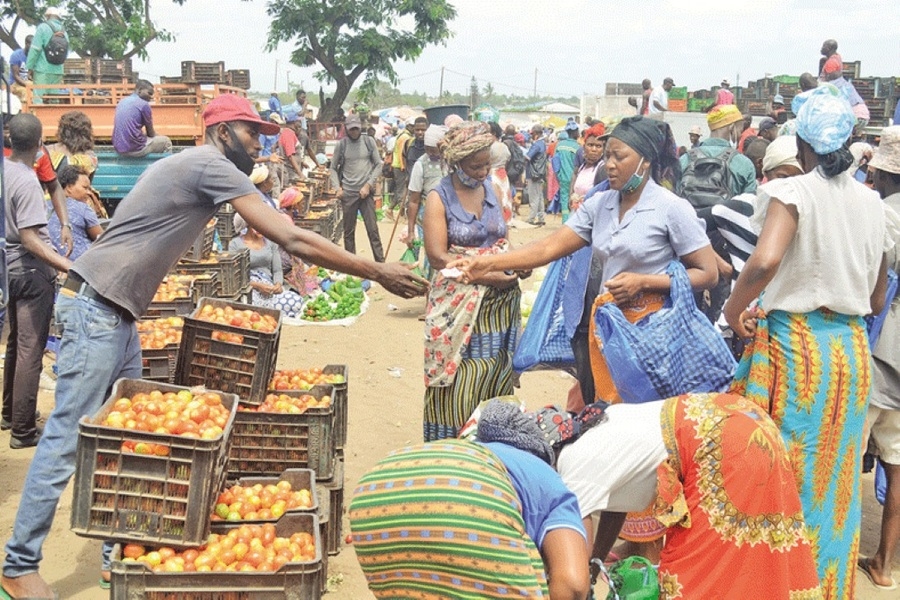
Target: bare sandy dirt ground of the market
384, 353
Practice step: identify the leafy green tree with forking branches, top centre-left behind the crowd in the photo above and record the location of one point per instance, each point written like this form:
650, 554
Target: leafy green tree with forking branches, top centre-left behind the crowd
350, 38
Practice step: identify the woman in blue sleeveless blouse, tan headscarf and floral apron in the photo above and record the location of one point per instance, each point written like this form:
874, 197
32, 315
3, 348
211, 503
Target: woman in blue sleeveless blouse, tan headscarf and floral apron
470, 329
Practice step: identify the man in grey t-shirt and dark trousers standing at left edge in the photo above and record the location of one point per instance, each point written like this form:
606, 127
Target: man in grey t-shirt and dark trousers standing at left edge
32, 263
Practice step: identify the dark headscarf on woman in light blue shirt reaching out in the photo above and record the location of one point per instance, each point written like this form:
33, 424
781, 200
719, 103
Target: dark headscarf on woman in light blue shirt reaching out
654, 141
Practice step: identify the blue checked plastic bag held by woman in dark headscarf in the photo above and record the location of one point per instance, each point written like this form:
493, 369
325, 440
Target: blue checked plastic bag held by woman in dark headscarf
673, 351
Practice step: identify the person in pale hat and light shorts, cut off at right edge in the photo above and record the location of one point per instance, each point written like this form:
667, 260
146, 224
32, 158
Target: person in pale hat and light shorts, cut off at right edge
884, 407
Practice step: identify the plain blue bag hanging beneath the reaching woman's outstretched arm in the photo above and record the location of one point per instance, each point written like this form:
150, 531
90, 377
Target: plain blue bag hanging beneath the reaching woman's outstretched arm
544, 342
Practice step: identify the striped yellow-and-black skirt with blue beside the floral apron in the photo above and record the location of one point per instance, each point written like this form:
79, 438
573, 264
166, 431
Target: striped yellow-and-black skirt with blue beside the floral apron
485, 369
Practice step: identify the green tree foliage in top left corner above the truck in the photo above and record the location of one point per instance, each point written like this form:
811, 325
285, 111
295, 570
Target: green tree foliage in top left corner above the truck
116, 29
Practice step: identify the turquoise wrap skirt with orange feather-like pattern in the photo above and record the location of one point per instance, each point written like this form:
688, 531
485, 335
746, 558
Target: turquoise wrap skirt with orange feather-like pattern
813, 373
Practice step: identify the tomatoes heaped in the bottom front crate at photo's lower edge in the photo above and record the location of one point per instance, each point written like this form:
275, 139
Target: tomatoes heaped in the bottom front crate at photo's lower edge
245, 548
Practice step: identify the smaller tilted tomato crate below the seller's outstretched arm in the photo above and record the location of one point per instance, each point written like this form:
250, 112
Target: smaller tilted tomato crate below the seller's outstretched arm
231, 347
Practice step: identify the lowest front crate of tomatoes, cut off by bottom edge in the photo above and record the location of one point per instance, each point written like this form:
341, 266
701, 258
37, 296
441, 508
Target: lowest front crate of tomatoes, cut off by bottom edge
281, 561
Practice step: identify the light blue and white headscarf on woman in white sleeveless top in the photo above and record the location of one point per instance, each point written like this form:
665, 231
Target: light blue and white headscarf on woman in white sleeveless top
825, 119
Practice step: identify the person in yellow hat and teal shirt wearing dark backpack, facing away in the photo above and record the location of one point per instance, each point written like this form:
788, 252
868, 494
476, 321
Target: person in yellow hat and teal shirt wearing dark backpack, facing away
706, 183
